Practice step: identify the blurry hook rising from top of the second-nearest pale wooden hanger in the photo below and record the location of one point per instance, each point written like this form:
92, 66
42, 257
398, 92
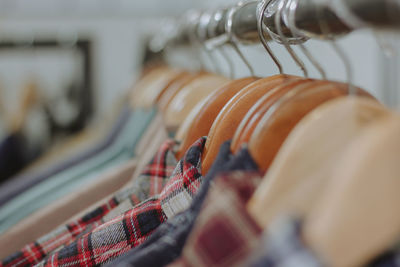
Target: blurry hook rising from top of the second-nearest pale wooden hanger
339, 51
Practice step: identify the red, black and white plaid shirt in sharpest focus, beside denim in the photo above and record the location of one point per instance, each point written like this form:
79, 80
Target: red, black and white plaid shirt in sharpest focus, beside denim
124, 232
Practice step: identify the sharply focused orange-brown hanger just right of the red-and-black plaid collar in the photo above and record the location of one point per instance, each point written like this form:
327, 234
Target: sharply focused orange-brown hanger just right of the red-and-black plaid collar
233, 112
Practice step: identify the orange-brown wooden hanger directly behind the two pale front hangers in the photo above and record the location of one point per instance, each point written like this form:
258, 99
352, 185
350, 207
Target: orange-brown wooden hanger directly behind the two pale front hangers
277, 123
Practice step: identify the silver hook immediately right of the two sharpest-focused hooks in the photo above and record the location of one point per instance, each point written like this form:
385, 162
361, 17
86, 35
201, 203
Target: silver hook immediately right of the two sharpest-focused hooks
290, 21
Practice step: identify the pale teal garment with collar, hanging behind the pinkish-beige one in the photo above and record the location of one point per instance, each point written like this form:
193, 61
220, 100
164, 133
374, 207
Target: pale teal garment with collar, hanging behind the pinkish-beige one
66, 182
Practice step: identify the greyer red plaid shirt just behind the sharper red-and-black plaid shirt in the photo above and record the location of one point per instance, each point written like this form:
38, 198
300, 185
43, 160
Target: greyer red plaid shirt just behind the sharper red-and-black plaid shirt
149, 183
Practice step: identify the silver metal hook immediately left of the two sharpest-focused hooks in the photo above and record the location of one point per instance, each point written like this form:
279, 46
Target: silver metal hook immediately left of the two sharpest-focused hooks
232, 40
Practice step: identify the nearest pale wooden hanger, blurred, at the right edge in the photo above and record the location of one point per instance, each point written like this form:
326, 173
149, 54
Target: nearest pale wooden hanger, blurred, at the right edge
358, 217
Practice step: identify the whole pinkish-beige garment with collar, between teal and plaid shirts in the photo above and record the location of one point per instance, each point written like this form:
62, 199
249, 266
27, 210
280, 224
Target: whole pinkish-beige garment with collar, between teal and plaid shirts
65, 209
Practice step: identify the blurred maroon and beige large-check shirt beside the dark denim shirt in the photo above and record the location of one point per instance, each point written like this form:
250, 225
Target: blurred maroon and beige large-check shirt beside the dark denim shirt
224, 233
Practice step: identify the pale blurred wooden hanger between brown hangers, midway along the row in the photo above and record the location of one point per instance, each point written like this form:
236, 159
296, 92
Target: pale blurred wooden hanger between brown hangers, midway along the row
185, 100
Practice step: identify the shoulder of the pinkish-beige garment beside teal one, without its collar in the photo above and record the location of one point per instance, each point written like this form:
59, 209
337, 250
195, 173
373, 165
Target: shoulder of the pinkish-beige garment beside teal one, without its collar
45, 220
